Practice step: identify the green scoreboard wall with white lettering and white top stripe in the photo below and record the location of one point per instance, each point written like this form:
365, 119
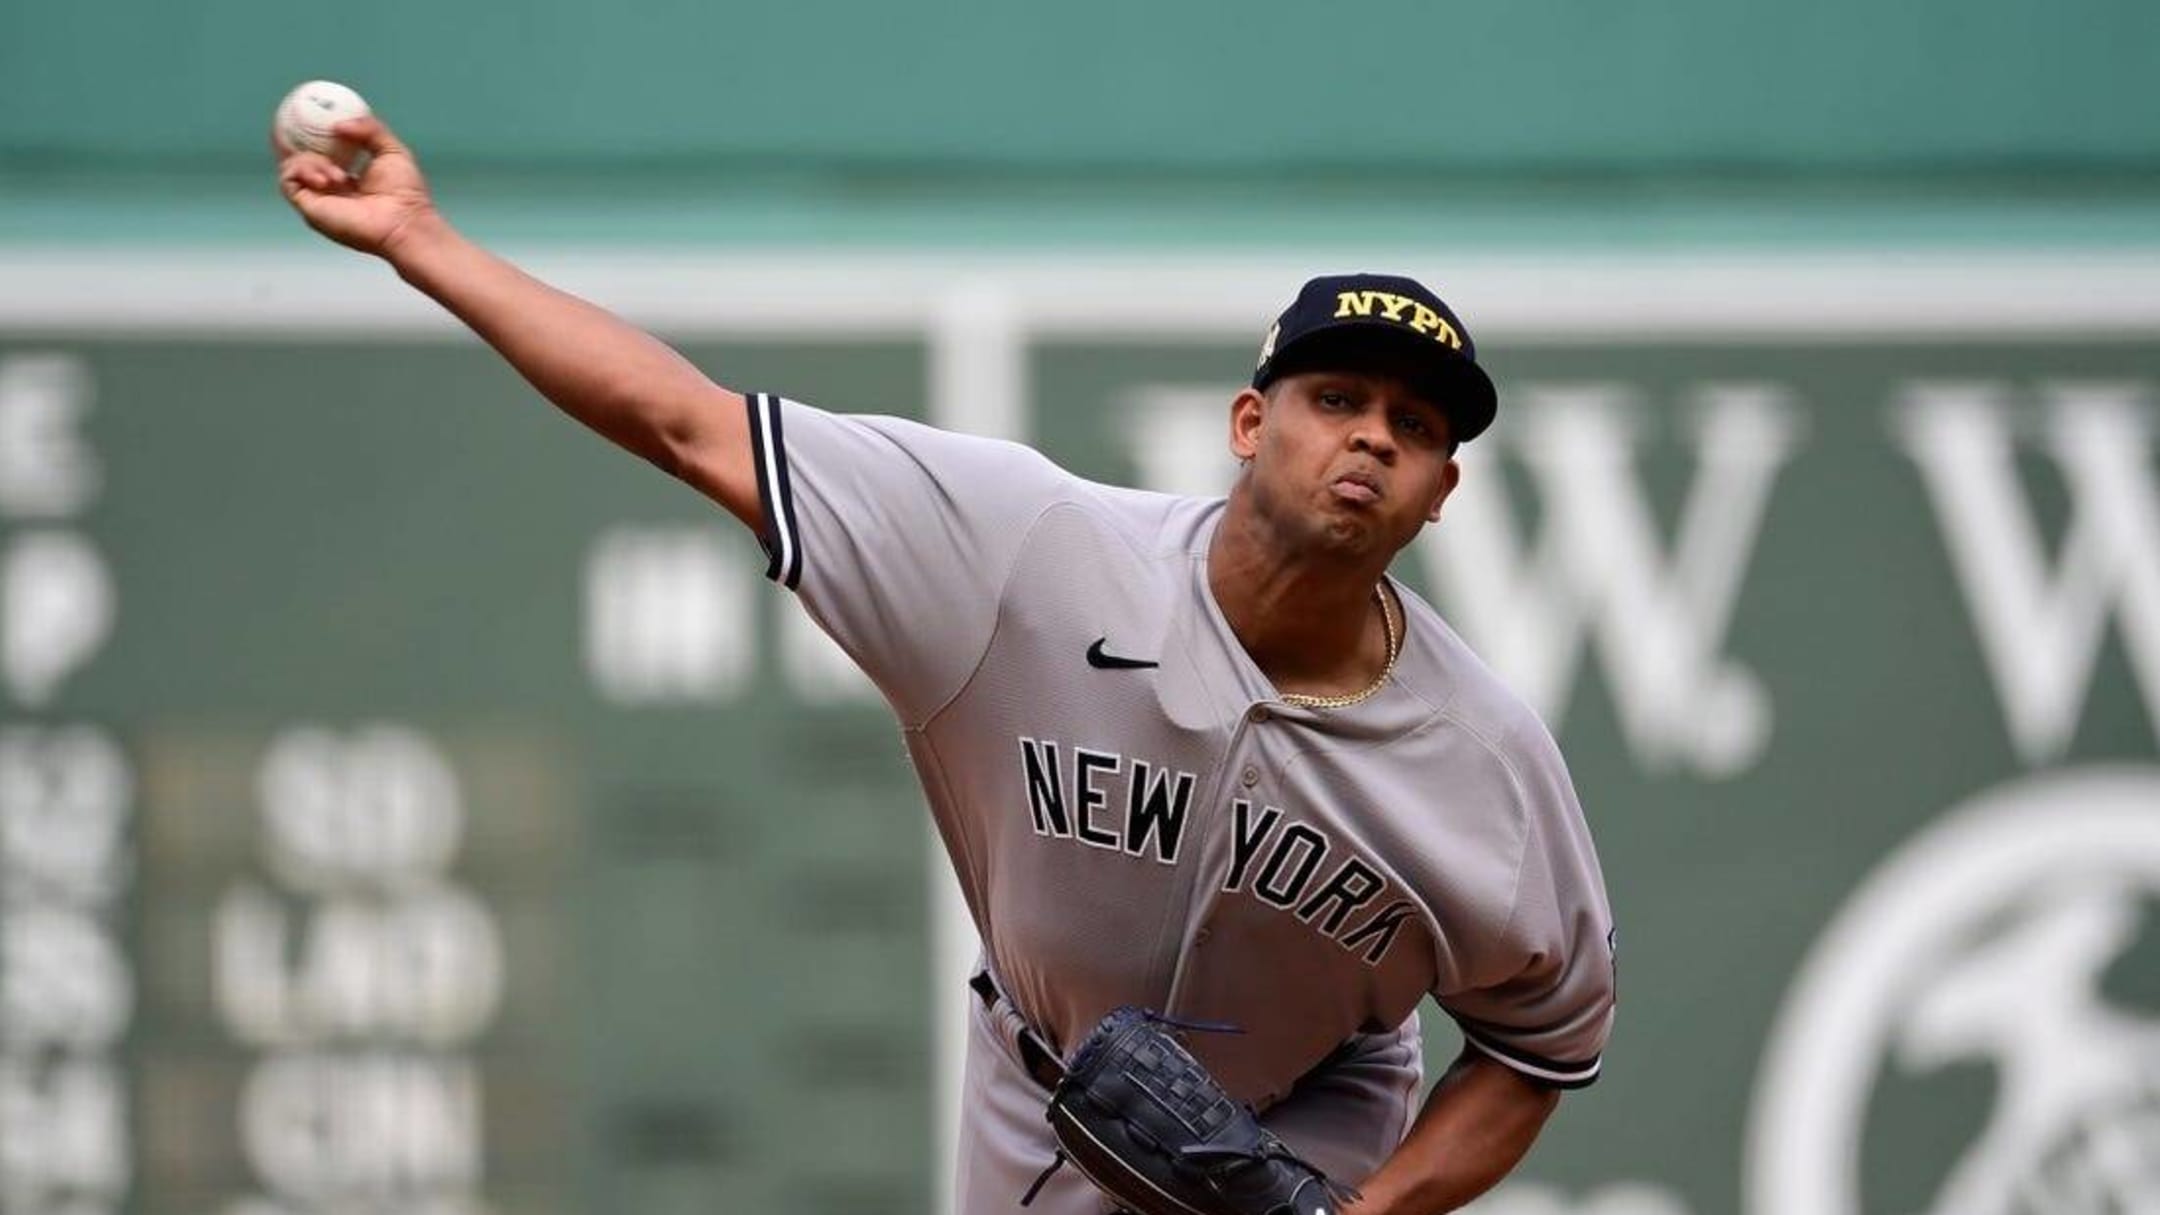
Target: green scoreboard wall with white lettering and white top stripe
409, 803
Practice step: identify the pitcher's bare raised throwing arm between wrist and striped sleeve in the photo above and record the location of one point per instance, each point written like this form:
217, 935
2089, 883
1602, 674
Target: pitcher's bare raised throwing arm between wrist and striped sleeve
602, 371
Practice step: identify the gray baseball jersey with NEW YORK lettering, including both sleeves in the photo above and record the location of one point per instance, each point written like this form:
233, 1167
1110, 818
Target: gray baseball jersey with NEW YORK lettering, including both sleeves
1135, 816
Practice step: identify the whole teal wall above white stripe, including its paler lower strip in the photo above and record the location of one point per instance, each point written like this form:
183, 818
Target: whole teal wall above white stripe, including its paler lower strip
1554, 122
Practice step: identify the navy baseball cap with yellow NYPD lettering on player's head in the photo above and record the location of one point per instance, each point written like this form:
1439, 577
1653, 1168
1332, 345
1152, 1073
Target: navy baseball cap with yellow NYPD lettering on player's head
1340, 319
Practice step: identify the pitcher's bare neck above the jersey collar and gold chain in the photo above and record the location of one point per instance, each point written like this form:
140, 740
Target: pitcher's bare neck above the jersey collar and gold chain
1308, 619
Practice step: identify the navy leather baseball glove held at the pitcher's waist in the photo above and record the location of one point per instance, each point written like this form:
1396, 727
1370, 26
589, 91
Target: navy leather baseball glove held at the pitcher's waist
1155, 1132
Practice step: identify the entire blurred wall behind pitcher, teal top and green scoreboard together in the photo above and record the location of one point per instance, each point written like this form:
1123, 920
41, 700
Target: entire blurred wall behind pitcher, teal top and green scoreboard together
414, 805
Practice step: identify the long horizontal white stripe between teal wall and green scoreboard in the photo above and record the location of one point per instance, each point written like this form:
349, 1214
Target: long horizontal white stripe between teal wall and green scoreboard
332, 295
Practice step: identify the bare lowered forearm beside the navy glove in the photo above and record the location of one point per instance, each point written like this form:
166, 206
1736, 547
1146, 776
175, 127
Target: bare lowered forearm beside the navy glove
1474, 1130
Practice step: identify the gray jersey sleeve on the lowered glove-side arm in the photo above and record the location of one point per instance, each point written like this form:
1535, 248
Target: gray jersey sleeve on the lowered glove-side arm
1552, 1017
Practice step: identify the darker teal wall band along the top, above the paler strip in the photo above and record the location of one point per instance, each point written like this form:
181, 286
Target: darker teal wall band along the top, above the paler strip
1552, 85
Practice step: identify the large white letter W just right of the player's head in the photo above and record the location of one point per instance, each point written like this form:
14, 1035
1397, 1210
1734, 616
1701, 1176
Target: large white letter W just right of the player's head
1599, 570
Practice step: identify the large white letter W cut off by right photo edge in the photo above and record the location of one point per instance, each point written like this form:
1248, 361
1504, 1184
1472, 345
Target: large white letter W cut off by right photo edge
2042, 624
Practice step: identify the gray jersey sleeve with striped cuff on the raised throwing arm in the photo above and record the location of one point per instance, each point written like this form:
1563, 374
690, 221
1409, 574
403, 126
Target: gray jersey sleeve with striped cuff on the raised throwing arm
897, 537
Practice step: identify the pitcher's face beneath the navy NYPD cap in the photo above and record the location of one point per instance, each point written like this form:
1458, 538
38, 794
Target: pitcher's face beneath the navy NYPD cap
1345, 462
